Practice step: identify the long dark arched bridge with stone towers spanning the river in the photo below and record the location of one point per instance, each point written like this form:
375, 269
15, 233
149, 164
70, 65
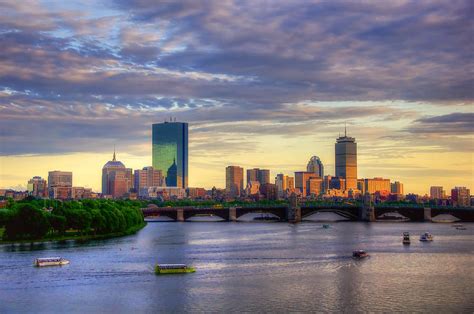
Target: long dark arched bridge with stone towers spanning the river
286, 213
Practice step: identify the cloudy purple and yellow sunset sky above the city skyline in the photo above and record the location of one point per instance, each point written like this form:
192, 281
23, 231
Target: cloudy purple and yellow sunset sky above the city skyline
261, 83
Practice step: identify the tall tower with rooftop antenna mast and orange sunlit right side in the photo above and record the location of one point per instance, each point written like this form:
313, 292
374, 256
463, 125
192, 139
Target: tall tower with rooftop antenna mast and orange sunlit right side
346, 160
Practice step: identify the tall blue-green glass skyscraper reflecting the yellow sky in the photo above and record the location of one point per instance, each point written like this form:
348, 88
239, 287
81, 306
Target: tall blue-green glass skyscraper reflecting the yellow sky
170, 152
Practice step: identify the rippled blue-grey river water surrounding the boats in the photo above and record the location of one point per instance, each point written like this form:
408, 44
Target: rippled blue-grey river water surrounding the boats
271, 267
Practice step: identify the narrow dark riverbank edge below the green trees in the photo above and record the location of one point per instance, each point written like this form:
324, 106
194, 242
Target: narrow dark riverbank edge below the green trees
76, 237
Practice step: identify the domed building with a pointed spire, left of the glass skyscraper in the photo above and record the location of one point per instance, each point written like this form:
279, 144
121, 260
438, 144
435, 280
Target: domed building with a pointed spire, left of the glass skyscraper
116, 178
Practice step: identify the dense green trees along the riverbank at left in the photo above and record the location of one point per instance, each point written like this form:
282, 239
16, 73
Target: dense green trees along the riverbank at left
36, 219
